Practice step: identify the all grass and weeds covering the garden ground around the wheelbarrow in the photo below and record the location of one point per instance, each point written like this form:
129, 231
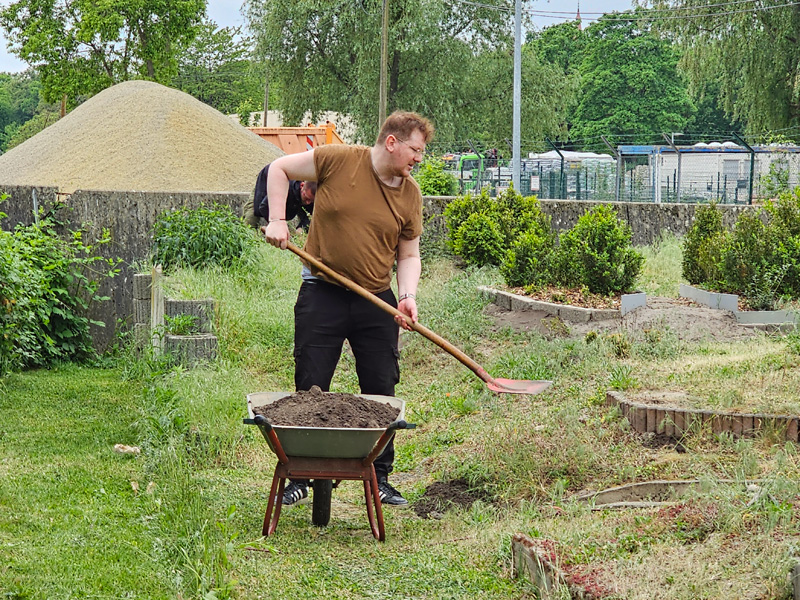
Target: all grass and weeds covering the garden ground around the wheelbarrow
73, 526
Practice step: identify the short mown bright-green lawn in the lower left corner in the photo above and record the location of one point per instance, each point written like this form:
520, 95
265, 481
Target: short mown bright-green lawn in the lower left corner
71, 524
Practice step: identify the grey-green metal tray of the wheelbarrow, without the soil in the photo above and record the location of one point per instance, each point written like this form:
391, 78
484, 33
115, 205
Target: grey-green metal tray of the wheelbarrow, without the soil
323, 442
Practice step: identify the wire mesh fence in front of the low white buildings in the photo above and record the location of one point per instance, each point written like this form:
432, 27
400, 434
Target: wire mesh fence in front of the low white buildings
720, 172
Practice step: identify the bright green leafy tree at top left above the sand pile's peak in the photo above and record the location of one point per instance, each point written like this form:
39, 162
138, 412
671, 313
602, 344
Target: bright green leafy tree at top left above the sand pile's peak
80, 47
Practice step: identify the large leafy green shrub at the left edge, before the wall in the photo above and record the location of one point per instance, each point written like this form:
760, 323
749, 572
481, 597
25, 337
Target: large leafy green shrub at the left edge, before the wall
47, 284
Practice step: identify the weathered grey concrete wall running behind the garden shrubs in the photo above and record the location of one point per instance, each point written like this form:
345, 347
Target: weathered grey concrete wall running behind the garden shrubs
130, 217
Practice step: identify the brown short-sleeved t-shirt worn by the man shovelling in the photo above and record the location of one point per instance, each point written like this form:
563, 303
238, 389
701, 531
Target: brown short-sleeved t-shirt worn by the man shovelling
358, 219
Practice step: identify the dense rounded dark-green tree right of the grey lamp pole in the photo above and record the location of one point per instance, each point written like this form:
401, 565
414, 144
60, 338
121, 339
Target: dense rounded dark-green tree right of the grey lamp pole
630, 86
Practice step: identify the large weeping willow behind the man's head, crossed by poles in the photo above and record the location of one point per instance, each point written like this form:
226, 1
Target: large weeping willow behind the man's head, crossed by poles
448, 60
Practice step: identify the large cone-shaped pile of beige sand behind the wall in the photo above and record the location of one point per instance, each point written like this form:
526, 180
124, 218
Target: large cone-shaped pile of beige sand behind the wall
140, 136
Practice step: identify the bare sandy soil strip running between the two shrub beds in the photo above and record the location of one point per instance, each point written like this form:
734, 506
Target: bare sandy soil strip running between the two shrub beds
688, 321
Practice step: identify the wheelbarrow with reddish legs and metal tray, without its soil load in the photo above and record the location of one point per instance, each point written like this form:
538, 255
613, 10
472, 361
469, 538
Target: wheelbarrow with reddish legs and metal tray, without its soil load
324, 455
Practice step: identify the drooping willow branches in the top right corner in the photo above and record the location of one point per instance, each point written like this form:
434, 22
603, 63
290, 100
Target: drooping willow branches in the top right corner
750, 49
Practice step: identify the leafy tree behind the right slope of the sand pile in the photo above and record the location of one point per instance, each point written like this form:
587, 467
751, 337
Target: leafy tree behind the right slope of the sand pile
216, 68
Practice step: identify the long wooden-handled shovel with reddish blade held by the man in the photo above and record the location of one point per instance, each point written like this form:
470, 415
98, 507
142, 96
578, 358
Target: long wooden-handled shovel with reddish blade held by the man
500, 385
